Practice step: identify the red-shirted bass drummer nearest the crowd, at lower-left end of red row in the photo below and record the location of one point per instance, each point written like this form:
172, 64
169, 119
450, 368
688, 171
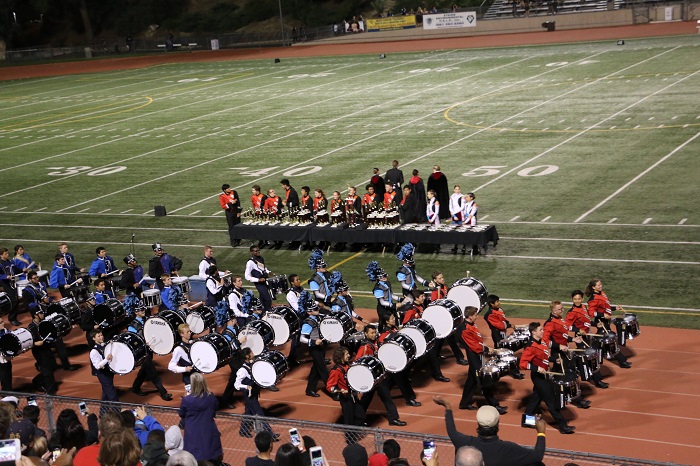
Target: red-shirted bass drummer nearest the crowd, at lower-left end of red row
337, 385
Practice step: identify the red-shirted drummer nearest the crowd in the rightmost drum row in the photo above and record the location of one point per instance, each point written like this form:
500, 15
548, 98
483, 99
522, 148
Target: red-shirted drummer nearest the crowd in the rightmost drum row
535, 358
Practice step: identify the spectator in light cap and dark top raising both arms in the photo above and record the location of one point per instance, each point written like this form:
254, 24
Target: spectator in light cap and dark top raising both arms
496, 452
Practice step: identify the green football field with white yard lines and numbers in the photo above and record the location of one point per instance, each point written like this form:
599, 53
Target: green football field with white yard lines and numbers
585, 157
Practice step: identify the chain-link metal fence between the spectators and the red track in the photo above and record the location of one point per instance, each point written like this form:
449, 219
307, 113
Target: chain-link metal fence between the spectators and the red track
332, 437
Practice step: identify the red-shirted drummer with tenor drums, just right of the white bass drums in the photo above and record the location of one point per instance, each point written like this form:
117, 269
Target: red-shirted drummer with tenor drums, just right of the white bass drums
475, 348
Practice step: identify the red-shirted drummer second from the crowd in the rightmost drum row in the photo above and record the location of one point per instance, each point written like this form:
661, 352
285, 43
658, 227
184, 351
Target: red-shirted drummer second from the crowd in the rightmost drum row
555, 334
